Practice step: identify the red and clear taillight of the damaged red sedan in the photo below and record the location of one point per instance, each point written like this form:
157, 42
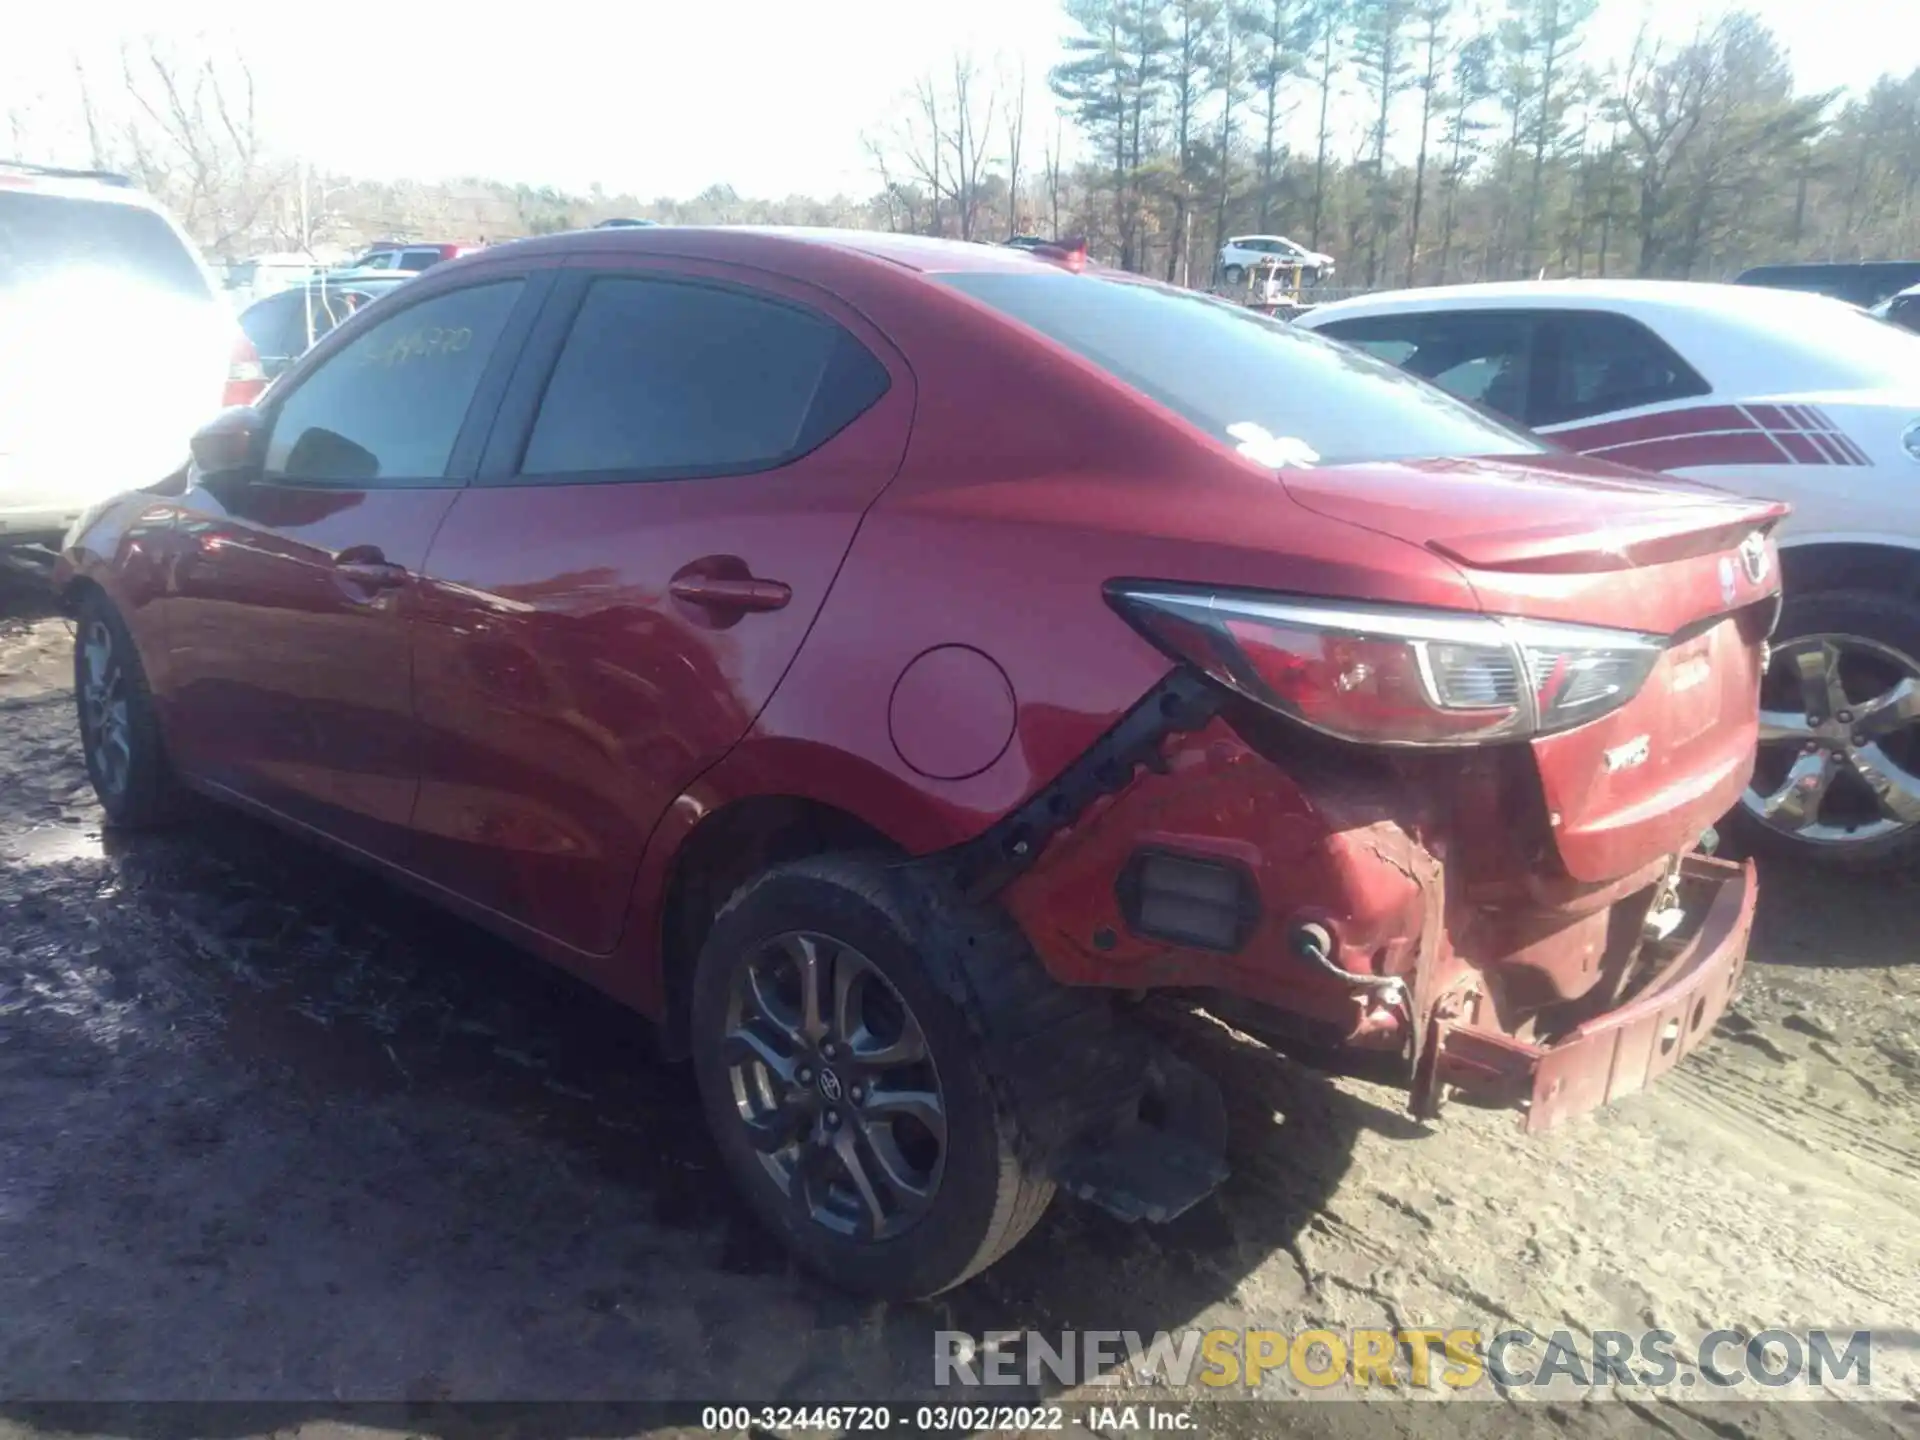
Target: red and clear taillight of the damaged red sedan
1385, 675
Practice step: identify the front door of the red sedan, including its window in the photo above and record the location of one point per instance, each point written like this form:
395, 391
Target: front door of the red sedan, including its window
291, 669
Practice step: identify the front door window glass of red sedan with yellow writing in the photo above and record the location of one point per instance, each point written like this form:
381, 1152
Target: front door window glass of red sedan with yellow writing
391, 404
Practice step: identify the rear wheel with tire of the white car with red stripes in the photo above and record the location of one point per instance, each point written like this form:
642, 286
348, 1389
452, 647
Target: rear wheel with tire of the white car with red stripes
1838, 771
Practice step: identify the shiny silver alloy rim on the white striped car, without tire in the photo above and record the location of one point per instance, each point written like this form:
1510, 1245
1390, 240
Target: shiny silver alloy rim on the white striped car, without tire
1840, 748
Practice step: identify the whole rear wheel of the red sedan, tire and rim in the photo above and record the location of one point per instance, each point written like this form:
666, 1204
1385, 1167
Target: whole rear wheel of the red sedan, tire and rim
846, 1092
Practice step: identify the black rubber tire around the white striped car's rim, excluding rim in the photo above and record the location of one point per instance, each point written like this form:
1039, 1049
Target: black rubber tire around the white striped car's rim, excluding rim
1877, 638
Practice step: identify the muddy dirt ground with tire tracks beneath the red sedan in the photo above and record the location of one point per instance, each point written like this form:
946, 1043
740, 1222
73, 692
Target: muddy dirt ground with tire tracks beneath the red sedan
272, 1132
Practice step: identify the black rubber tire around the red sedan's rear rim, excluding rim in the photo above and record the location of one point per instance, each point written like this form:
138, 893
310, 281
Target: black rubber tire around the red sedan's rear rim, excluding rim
990, 1188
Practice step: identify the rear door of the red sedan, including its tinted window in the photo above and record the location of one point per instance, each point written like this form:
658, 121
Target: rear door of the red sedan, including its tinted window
675, 481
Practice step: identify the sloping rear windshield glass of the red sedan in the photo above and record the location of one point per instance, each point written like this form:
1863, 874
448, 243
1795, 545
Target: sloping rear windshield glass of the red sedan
1255, 383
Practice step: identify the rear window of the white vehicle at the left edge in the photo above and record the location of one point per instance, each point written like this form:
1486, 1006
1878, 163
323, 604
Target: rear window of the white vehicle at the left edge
62, 237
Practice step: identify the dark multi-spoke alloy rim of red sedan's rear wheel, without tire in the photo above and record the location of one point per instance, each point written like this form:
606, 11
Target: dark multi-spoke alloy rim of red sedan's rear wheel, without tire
836, 1088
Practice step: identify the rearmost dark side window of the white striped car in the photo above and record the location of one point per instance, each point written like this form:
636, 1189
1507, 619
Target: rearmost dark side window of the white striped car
1598, 364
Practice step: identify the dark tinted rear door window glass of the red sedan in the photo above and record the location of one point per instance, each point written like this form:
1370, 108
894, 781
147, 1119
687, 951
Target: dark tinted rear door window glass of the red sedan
667, 379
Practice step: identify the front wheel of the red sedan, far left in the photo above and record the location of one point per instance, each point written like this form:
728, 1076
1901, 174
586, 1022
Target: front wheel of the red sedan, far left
126, 757
